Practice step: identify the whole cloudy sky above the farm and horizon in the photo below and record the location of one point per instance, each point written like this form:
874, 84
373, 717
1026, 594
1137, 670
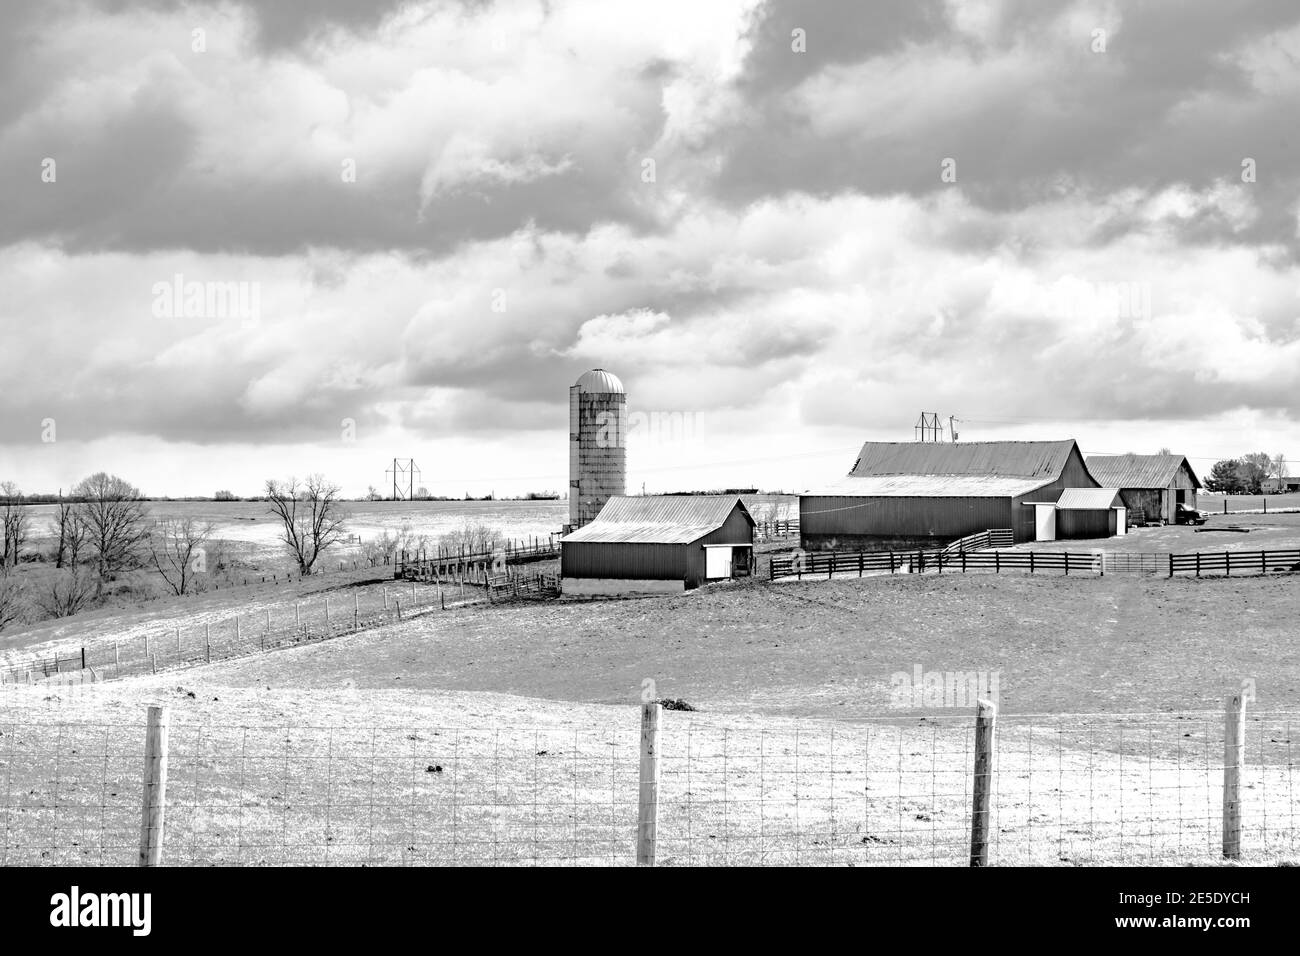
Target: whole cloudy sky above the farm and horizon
787, 227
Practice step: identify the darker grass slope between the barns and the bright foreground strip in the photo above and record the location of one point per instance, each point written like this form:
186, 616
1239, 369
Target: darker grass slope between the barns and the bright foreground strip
829, 650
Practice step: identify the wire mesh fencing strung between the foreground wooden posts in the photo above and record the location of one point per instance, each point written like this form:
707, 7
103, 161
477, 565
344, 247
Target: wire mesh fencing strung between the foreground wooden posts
1068, 790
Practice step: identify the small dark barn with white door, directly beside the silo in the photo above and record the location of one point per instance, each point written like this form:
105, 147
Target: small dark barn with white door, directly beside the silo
658, 544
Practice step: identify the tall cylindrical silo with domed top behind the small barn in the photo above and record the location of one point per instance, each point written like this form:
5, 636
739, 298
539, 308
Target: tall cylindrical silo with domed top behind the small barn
599, 430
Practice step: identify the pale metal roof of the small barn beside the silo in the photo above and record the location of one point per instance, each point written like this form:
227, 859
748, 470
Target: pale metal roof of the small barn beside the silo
665, 520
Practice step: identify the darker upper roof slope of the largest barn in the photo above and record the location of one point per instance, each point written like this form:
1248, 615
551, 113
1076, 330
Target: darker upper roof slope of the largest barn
1025, 460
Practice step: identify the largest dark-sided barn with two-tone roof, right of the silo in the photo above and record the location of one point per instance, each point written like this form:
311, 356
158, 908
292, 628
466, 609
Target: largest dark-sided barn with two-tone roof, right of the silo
916, 495
